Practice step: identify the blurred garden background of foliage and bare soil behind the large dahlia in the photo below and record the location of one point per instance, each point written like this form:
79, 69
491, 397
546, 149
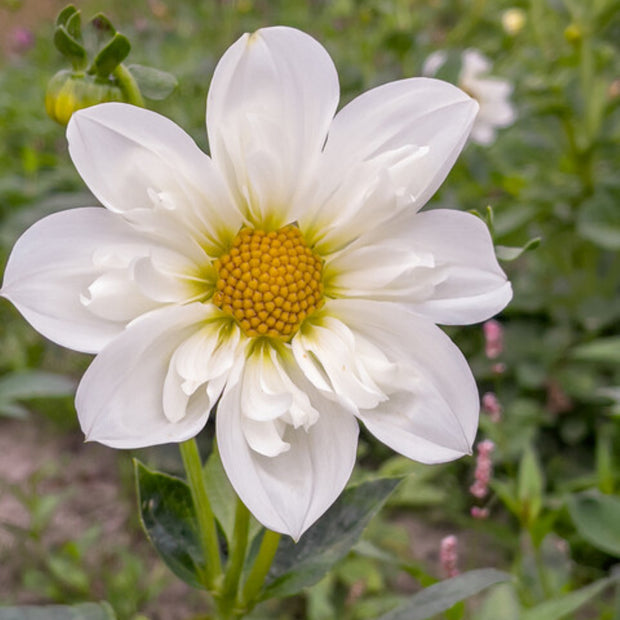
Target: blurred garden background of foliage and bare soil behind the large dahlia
547, 183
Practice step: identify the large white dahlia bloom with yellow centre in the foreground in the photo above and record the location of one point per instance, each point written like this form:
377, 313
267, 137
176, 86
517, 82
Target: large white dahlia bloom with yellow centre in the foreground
289, 278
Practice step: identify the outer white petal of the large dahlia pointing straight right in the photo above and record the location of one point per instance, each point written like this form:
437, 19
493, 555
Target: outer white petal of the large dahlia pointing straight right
440, 263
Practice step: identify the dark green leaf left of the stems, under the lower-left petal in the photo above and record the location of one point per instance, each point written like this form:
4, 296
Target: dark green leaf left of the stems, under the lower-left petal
167, 516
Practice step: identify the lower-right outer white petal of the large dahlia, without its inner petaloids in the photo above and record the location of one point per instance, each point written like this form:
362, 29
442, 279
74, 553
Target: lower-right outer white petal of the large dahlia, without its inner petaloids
433, 416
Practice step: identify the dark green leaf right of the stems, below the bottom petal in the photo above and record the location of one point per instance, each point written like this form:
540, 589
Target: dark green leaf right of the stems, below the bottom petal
297, 565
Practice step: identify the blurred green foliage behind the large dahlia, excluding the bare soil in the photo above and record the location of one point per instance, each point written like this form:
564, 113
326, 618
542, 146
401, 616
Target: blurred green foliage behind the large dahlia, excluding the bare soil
553, 175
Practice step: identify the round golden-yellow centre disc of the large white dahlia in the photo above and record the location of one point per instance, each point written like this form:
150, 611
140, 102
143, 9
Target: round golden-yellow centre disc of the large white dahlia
269, 282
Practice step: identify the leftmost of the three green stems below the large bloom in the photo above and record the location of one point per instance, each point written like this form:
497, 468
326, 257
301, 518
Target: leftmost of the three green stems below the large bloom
204, 513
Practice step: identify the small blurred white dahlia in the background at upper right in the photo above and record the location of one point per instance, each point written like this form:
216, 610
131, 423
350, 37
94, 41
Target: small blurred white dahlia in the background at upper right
492, 93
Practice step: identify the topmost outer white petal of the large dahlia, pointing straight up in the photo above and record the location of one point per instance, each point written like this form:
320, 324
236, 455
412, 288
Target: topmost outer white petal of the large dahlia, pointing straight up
271, 100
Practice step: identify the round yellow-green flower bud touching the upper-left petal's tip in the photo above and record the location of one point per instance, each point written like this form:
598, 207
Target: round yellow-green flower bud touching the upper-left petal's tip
68, 91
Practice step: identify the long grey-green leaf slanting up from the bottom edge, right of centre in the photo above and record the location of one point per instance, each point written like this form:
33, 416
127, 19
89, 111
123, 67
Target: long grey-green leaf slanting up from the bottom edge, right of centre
443, 595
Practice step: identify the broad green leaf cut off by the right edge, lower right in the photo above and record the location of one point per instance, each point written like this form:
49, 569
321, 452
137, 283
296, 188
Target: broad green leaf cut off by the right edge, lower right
597, 519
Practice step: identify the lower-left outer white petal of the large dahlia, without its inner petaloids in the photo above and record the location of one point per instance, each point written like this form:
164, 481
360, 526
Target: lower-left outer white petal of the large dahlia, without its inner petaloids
120, 400
